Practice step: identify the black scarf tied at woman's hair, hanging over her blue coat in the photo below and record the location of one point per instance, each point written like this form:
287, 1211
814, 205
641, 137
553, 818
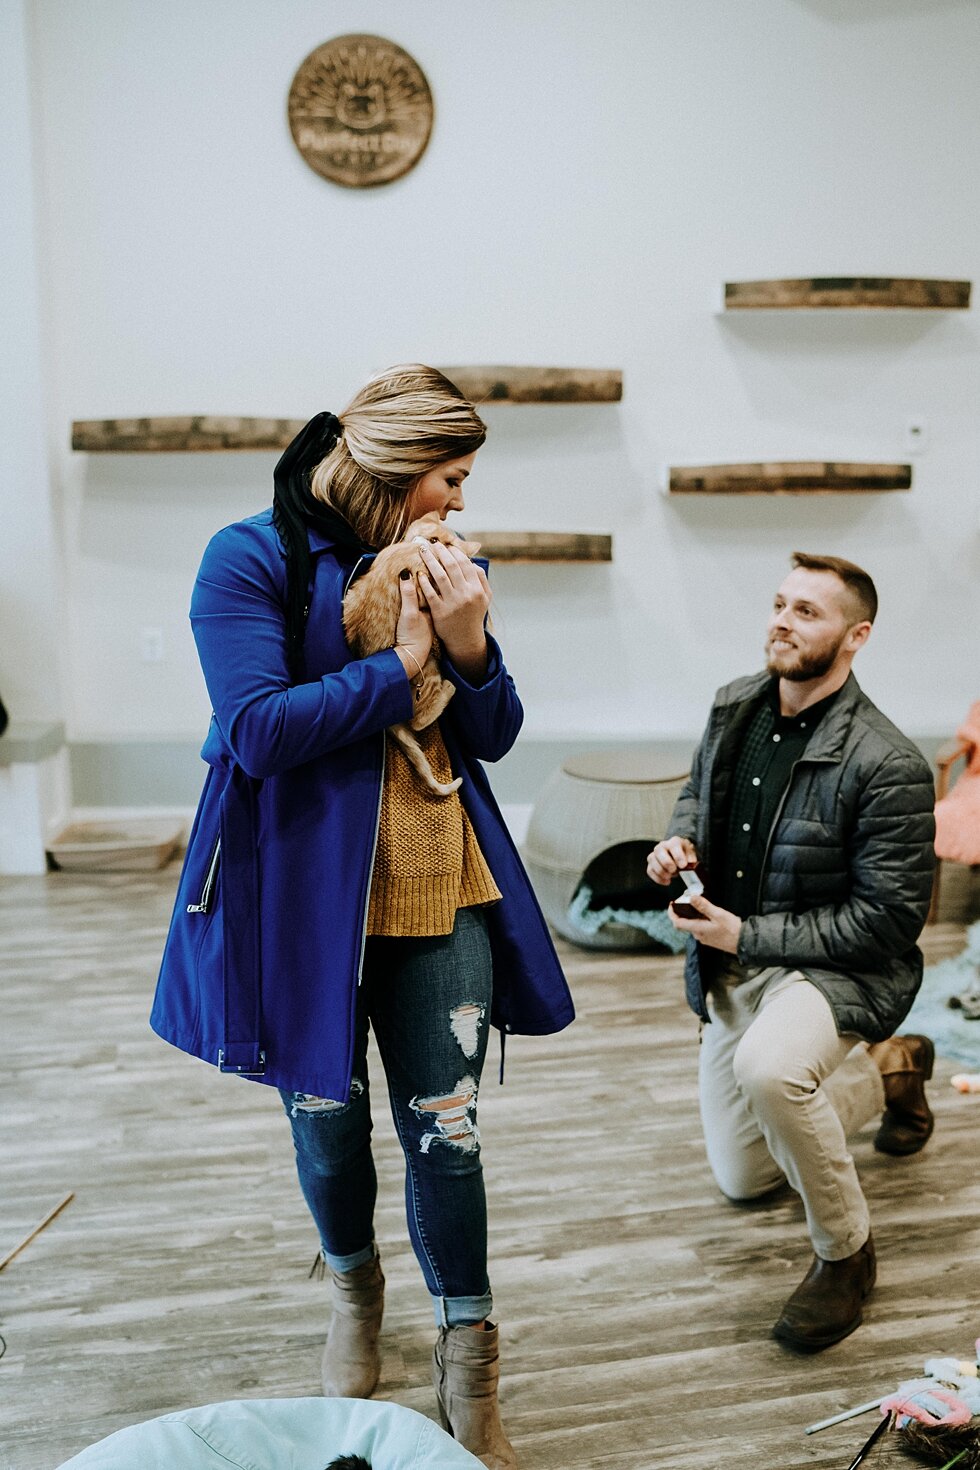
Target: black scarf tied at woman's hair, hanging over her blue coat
295, 509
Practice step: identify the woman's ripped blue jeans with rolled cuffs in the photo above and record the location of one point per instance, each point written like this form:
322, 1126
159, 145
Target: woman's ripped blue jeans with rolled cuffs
428, 1002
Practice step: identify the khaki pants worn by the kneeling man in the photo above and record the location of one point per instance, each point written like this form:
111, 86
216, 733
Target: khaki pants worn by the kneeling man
781, 1093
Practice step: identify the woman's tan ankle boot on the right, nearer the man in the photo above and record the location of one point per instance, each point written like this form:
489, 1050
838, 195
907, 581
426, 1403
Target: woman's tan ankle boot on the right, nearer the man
465, 1372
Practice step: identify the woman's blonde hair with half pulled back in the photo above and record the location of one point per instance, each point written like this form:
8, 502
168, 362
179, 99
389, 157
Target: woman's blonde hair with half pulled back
402, 424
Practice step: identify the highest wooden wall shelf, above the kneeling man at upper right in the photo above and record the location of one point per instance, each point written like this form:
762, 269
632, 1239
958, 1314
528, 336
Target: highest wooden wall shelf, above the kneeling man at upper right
835, 293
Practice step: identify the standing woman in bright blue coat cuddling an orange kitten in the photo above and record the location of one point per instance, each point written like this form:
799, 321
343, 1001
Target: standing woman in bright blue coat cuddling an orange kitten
324, 890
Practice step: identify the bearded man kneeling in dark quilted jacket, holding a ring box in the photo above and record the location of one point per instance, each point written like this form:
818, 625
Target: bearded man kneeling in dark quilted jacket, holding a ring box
812, 820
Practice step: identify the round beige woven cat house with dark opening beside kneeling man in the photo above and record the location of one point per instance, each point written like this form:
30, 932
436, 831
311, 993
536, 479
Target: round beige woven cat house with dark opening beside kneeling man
594, 822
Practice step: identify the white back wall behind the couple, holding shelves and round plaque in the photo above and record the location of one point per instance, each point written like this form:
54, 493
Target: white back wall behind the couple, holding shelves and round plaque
594, 174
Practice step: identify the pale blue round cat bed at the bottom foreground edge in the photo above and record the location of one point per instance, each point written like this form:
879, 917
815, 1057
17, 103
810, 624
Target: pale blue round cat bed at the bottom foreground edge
280, 1434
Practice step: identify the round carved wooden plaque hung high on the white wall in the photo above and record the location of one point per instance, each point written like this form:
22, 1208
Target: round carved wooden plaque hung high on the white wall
361, 111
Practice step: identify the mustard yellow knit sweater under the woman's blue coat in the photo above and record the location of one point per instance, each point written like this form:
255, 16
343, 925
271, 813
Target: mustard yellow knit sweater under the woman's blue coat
428, 861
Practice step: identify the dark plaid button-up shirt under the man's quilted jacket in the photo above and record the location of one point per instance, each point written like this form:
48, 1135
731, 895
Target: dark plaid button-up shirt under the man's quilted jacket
772, 746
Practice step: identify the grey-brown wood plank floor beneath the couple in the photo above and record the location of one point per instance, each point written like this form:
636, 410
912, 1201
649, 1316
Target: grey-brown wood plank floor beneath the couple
635, 1305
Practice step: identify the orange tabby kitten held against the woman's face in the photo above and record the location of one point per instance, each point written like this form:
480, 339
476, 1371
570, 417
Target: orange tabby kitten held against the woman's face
371, 617
